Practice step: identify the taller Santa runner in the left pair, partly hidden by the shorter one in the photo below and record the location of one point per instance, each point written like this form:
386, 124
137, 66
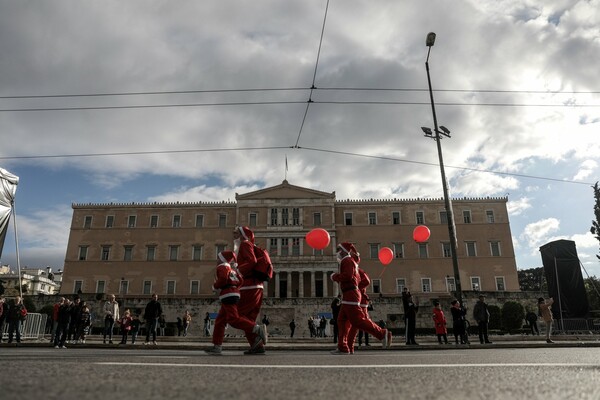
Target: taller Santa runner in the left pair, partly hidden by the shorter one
251, 291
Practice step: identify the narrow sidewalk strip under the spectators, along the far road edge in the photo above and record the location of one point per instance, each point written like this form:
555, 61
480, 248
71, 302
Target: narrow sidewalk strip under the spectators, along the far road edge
276, 343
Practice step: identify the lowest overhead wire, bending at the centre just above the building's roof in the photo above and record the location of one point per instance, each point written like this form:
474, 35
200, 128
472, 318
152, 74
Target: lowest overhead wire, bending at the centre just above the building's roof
343, 153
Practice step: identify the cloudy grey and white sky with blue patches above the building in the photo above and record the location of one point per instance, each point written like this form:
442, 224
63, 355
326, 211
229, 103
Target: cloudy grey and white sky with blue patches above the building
196, 100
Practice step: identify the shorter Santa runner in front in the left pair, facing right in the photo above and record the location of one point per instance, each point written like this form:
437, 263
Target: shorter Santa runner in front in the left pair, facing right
227, 282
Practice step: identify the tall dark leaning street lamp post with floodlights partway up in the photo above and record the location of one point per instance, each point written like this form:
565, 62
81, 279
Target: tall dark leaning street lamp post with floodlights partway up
435, 135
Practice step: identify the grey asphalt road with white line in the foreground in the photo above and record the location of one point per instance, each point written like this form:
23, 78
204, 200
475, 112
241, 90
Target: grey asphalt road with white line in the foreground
101, 373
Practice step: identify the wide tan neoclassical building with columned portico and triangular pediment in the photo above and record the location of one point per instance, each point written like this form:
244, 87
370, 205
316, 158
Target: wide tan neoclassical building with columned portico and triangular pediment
137, 249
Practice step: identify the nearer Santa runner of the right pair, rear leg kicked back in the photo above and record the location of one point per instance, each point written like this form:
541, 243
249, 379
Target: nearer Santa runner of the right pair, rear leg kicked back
351, 313
